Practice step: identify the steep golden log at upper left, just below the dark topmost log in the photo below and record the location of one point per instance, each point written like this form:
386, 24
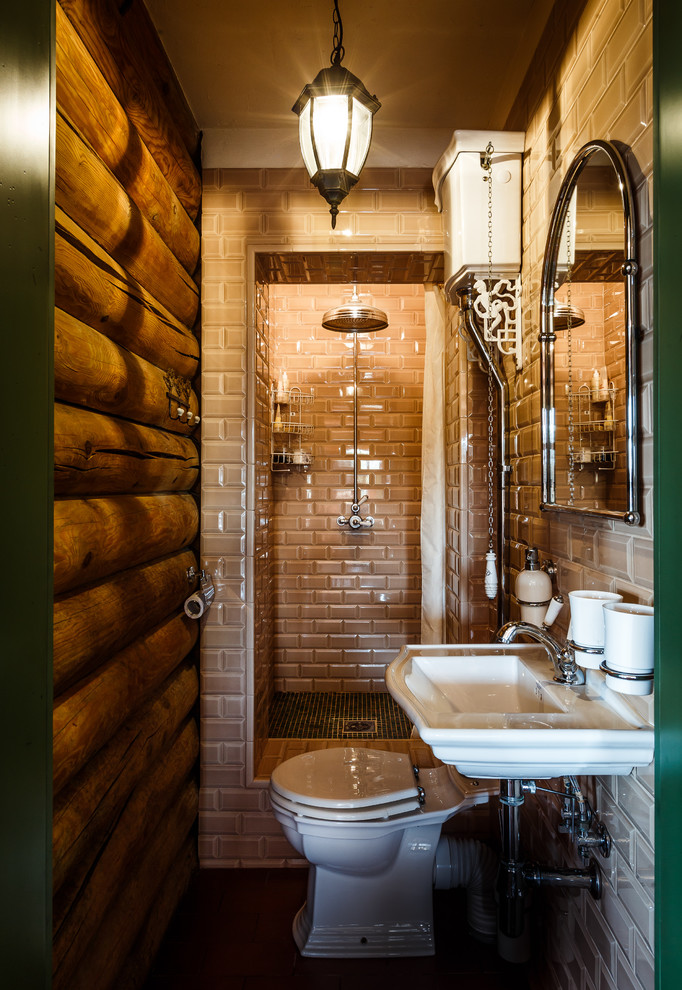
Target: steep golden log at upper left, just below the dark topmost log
87, 100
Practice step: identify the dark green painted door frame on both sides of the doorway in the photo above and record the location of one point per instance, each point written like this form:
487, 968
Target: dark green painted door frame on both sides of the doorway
26, 275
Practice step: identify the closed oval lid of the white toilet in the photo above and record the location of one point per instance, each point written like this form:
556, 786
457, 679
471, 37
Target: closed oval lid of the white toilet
349, 778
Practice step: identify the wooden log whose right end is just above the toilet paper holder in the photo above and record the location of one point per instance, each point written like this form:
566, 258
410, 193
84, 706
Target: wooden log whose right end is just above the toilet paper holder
99, 536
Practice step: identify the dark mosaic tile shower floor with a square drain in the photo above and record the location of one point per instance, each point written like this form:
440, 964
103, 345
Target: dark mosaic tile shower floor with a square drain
331, 715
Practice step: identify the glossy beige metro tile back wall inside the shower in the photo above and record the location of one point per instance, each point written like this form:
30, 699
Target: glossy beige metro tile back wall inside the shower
345, 600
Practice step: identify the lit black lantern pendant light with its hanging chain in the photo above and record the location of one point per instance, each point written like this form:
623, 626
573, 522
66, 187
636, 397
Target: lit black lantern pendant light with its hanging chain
335, 114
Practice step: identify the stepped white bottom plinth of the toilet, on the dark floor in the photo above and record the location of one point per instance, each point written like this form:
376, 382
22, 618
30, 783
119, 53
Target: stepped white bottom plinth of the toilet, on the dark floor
354, 941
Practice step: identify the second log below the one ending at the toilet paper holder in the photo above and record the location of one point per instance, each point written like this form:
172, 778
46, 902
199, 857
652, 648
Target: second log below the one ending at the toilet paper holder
87, 808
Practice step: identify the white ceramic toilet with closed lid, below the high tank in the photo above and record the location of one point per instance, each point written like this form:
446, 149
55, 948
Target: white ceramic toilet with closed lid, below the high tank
369, 825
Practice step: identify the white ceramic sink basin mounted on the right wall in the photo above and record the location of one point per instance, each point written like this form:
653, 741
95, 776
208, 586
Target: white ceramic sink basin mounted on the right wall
495, 711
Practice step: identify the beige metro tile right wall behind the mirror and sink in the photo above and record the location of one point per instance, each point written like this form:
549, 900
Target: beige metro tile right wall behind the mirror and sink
592, 79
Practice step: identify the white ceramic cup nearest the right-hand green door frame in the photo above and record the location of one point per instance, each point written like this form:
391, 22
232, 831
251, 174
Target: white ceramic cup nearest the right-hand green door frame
629, 637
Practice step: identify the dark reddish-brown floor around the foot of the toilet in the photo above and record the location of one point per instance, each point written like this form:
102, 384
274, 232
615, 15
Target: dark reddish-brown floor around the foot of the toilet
233, 932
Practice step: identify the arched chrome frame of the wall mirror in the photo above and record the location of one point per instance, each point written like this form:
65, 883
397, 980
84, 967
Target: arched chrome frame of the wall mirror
547, 338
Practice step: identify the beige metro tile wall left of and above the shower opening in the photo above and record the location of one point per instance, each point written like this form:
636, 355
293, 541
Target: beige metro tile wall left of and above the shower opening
244, 210
